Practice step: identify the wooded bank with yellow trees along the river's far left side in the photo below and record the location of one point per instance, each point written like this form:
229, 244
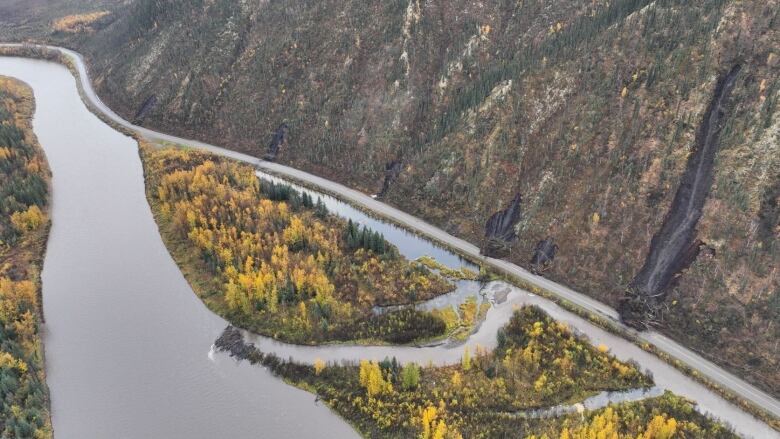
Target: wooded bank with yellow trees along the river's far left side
24, 229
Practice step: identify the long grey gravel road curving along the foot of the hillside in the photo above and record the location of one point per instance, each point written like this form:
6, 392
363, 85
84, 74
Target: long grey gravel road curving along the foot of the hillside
691, 359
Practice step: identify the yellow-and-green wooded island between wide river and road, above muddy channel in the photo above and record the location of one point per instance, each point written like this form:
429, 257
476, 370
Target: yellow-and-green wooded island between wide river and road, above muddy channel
273, 260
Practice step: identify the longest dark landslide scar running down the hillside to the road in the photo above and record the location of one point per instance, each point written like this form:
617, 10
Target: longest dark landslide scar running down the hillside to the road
674, 247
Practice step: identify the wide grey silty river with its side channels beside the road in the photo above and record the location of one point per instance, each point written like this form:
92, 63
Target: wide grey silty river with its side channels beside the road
128, 344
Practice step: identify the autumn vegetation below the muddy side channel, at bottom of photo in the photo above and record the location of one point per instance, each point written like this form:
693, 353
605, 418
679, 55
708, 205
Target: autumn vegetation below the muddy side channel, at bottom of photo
538, 363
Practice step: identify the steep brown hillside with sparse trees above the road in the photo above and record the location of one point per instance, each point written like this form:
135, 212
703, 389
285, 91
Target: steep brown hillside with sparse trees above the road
589, 109
